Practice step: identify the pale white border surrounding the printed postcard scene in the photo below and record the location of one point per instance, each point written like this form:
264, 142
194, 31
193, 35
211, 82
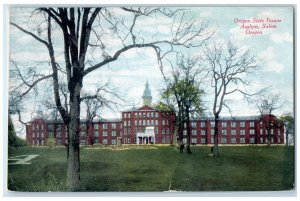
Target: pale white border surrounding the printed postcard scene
93, 196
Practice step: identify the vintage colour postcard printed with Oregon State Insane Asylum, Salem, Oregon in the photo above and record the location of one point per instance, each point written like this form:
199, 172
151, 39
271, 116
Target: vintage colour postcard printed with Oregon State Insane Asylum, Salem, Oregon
154, 99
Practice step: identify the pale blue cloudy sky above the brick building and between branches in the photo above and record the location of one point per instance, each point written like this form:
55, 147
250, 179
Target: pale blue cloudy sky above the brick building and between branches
272, 47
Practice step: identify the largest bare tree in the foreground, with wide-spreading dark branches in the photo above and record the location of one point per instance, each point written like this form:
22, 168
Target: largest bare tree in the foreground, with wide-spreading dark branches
87, 30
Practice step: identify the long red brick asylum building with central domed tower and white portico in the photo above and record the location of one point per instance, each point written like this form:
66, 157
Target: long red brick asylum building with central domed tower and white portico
233, 130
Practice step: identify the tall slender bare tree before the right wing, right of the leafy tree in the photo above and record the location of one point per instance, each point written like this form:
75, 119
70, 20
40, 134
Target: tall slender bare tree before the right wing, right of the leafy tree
229, 67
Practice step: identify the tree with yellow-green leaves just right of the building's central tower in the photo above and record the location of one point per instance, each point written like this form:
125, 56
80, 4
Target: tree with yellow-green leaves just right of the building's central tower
184, 95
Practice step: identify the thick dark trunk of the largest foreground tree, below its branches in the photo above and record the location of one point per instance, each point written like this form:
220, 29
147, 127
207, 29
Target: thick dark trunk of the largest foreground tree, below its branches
73, 170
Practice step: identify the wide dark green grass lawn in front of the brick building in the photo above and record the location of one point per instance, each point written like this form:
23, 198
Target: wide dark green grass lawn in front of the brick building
248, 168
